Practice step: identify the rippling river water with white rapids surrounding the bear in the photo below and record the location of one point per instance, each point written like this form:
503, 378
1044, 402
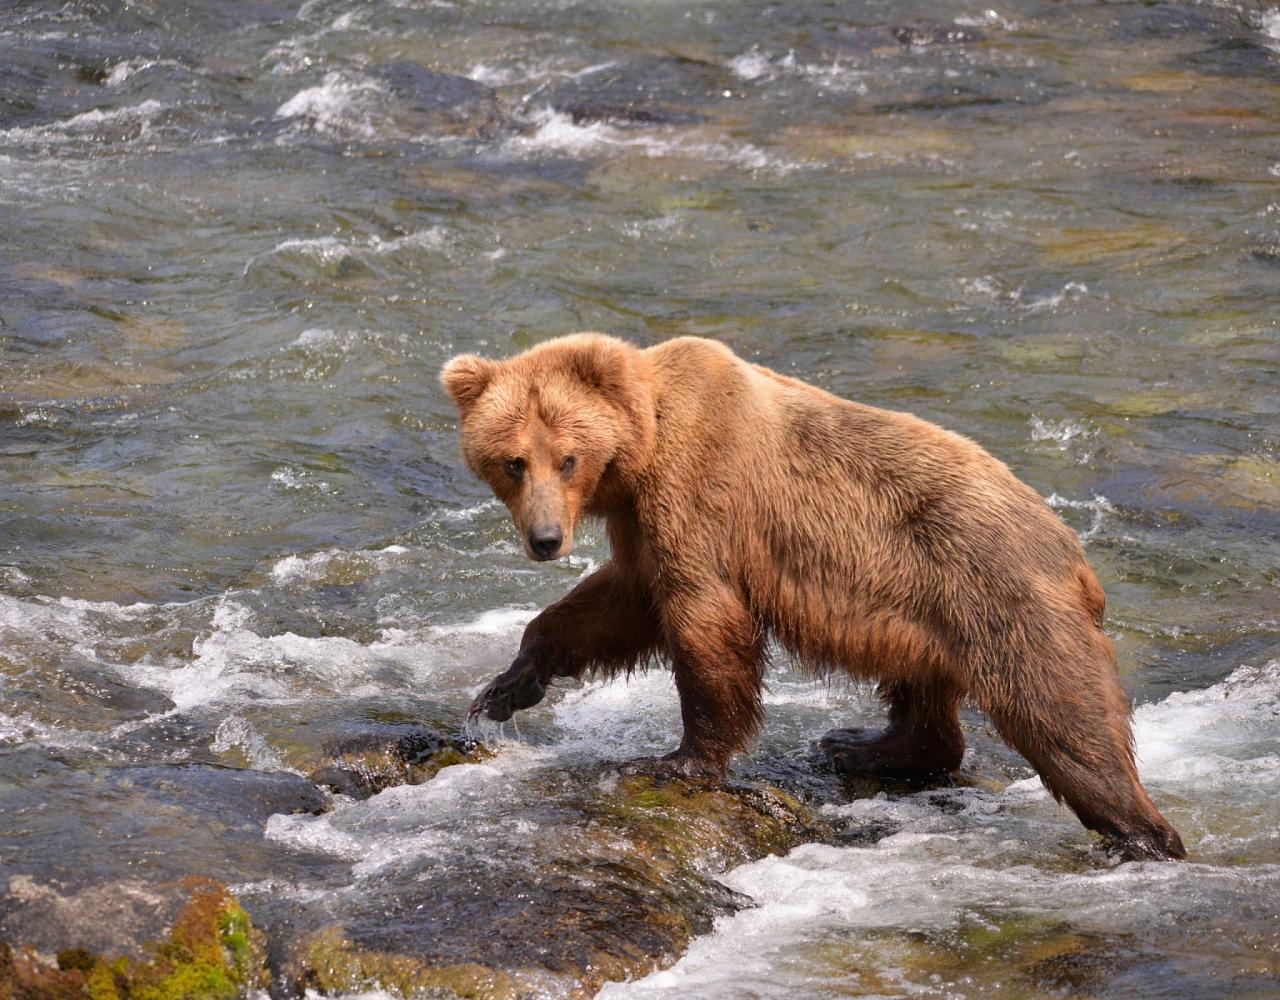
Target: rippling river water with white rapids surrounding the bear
240, 239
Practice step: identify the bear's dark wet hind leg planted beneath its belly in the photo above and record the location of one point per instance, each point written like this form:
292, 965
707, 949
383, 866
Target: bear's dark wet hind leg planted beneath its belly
924, 739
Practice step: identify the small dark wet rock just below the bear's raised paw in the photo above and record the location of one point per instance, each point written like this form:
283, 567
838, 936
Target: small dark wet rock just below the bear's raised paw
368, 764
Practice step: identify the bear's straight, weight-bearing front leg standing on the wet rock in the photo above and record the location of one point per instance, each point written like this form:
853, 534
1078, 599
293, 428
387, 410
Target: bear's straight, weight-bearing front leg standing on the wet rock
716, 651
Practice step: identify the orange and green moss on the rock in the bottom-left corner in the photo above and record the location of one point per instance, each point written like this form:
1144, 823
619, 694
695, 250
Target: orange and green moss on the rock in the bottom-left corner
211, 952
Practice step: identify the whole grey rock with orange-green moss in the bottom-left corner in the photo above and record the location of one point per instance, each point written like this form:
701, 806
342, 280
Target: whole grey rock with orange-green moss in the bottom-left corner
164, 942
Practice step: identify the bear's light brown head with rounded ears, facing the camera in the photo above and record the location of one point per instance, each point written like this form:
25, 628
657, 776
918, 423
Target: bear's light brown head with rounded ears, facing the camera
555, 432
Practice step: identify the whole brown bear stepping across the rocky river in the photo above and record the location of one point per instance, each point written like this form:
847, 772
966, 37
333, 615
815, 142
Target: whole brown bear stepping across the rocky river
742, 505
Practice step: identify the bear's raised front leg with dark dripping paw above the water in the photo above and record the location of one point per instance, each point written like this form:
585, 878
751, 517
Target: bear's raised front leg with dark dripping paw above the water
606, 623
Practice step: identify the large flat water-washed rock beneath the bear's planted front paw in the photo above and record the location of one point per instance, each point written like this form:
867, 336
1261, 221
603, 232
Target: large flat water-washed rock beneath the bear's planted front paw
630, 882
